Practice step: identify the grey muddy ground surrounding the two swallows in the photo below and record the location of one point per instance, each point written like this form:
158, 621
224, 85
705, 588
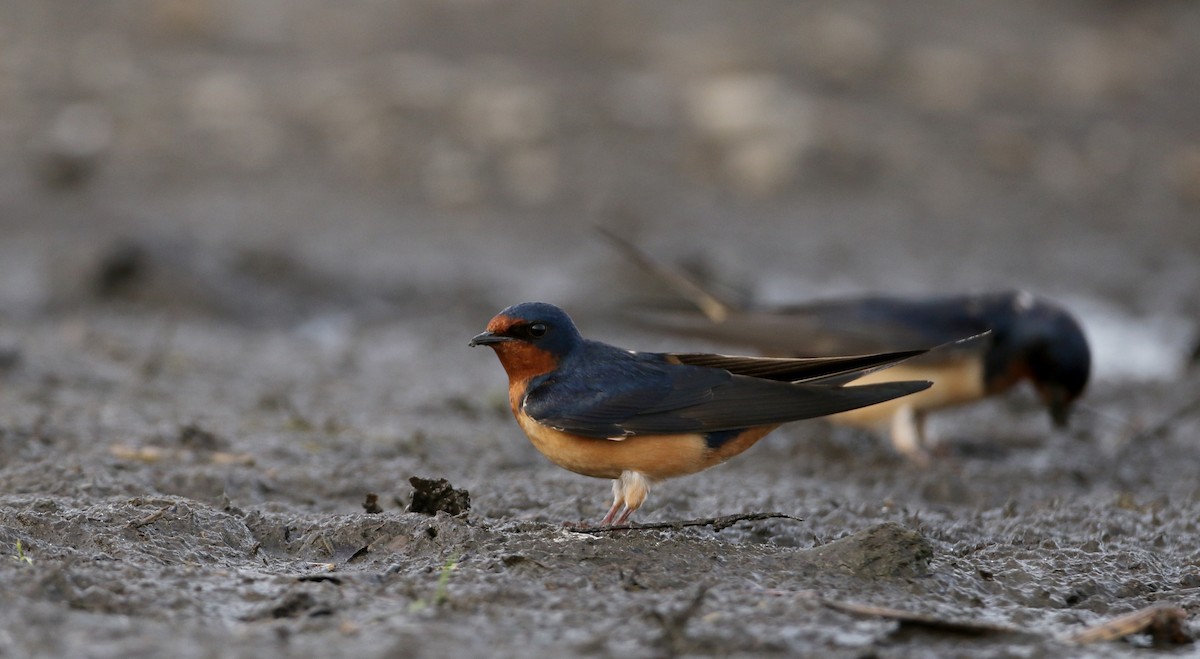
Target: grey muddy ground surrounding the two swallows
245, 245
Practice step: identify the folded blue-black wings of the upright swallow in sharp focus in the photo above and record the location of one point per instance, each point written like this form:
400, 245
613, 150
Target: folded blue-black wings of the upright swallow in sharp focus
663, 394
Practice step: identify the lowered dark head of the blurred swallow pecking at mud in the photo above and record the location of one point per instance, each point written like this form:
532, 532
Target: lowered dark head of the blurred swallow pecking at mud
1043, 343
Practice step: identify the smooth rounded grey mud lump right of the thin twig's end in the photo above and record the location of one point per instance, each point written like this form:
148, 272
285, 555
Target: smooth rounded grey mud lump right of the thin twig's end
887, 550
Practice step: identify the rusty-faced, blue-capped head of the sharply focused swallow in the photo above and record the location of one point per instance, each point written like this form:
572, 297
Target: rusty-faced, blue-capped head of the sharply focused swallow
530, 339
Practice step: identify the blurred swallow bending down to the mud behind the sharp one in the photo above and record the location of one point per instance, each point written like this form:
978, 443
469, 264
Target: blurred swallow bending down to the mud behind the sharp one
1019, 337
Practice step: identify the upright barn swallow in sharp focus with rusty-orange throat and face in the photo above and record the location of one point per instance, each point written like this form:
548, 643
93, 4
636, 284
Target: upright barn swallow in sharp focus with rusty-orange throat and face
640, 418
